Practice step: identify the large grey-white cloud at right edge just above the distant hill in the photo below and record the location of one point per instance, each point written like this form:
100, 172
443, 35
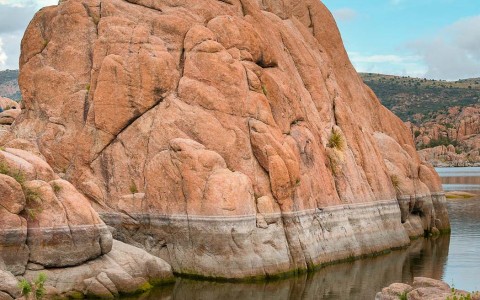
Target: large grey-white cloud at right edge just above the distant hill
454, 52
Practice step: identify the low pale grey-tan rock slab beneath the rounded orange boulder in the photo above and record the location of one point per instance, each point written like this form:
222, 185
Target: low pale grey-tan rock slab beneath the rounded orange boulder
124, 270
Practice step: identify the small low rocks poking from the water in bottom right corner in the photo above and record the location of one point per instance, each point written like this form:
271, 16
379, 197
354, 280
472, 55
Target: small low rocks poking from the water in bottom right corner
423, 289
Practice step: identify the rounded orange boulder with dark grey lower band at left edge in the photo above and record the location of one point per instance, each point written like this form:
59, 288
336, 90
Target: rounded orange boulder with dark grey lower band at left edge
45, 220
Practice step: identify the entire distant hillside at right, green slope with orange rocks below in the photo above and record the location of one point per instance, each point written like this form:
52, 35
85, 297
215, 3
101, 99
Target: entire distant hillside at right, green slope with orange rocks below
444, 116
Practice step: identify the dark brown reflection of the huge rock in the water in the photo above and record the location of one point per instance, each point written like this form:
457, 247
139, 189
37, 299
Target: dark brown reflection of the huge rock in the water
360, 279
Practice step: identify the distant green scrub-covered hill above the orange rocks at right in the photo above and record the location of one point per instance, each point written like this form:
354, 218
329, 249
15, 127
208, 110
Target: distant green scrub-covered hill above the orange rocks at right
421, 100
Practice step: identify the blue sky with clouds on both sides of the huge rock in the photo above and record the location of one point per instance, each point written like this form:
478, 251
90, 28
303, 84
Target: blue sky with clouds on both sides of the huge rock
437, 39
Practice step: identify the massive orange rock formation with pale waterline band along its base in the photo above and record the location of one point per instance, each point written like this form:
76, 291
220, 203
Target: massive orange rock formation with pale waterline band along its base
232, 138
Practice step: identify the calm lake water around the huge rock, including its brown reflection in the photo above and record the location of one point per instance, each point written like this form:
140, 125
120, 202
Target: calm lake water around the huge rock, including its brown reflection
454, 259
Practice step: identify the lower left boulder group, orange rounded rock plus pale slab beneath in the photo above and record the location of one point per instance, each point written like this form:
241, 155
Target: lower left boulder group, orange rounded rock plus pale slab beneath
47, 226
